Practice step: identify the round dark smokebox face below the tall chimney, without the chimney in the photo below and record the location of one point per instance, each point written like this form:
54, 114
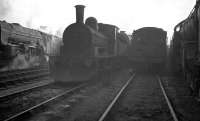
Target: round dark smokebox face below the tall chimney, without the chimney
77, 40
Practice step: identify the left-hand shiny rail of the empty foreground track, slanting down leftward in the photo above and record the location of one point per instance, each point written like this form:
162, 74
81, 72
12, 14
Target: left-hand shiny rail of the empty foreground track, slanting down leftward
103, 116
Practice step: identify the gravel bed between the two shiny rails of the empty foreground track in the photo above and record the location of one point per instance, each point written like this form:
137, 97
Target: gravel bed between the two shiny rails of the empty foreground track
142, 101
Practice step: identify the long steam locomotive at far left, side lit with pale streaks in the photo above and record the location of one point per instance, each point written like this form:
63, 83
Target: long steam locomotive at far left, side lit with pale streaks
22, 48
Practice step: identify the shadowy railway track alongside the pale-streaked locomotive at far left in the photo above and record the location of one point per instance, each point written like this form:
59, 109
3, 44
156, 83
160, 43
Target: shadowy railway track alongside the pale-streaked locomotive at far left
13, 82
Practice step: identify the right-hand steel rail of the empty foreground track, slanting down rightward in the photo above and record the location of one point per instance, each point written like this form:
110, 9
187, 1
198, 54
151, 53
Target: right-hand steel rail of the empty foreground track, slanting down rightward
172, 111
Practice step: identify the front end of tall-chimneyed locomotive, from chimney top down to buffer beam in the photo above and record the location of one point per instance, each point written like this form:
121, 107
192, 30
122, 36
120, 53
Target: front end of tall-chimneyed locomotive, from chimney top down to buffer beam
75, 61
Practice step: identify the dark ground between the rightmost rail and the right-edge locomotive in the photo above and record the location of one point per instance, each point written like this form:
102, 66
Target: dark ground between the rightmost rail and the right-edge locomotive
187, 108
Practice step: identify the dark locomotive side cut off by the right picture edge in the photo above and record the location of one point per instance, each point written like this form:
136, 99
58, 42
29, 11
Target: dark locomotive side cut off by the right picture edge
185, 49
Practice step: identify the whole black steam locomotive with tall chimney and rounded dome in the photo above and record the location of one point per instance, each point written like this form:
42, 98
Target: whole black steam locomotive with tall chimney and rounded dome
88, 47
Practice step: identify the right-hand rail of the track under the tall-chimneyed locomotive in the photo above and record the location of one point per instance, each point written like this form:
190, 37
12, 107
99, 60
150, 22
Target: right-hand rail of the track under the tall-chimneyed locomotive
20, 115
